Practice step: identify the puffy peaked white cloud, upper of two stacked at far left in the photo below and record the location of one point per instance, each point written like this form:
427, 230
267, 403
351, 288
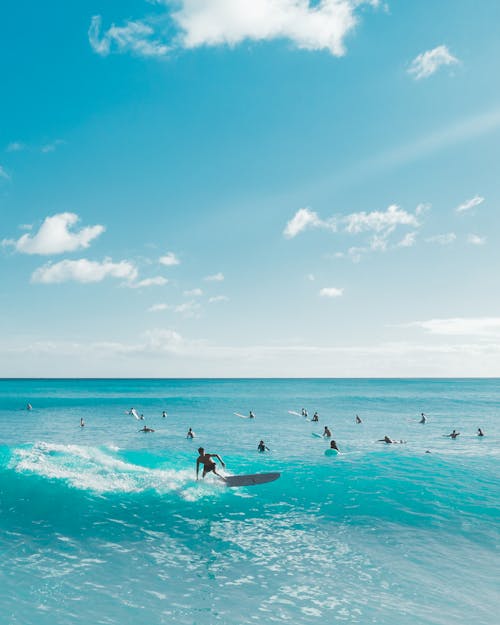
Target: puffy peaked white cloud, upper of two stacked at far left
55, 237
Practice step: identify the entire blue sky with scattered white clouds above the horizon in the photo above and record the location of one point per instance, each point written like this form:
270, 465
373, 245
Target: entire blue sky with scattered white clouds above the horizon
250, 188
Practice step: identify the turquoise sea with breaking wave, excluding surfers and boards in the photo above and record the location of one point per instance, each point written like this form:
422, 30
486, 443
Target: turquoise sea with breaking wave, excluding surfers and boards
104, 524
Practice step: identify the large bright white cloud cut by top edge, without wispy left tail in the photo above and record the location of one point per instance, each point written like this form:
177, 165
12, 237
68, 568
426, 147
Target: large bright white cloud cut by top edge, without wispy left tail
322, 26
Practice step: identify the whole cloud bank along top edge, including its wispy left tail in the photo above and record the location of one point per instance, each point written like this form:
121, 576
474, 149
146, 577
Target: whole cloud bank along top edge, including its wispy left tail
322, 25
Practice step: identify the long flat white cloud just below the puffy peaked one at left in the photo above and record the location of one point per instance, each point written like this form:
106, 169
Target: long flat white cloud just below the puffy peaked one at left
84, 271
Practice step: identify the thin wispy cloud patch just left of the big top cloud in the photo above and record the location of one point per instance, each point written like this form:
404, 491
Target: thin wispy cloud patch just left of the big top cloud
136, 37
